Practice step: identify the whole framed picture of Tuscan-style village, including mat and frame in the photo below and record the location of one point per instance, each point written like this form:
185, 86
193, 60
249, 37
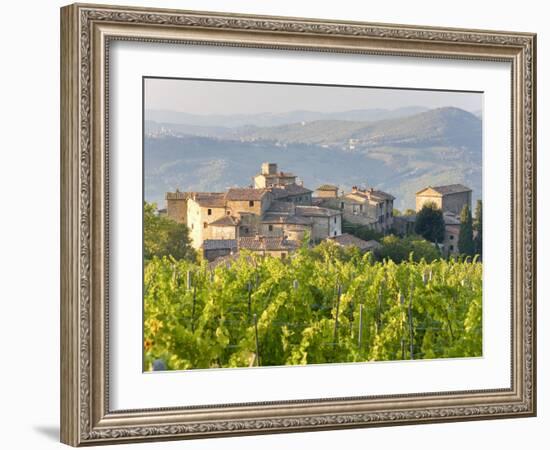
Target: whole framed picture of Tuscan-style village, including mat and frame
275, 224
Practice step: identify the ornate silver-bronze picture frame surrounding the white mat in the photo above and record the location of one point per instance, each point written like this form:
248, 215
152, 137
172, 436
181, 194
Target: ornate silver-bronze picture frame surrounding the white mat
87, 32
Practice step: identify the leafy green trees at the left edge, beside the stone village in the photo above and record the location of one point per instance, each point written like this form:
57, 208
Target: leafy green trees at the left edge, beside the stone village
163, 236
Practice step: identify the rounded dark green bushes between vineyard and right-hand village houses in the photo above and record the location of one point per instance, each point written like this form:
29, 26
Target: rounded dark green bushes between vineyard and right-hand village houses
400, 249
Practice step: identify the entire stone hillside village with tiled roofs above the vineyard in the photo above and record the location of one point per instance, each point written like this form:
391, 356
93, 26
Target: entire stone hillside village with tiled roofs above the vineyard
274, 213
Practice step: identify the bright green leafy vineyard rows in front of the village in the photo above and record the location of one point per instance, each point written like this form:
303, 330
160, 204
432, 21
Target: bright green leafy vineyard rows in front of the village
322, 305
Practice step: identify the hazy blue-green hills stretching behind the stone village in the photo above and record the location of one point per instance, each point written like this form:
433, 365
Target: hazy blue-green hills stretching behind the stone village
400, 156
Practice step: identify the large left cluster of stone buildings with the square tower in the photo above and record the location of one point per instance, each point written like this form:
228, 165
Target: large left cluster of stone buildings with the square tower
283, 210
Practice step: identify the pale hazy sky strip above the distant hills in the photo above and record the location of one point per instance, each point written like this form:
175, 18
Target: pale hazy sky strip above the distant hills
222, 97
